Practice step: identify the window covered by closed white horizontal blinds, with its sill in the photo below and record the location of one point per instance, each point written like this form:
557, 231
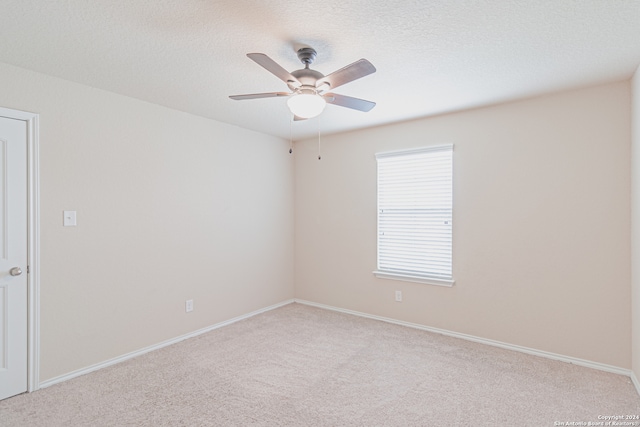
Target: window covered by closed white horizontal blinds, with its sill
415, 206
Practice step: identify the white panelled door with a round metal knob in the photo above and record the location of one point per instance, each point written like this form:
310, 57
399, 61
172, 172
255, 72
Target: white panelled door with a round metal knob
13, 257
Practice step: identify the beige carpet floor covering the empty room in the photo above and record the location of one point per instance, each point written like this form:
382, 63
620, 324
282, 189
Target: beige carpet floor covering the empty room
303, 366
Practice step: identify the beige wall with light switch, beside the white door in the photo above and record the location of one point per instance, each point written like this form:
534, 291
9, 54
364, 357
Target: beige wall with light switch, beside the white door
170, 207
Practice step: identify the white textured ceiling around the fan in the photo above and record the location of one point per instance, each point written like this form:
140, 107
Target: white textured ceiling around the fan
432, 56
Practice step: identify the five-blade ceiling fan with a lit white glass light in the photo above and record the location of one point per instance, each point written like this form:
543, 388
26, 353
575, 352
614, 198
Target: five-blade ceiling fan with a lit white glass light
309, 88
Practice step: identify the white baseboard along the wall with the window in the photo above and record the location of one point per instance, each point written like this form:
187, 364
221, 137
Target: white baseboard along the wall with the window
521, 349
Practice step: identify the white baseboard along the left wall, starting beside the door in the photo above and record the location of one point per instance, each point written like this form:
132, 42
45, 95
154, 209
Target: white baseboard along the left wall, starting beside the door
166, 343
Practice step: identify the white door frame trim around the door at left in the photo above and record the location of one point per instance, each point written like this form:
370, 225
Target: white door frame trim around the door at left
33, 243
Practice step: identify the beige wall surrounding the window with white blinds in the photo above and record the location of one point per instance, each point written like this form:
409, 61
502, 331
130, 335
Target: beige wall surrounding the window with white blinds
541, 224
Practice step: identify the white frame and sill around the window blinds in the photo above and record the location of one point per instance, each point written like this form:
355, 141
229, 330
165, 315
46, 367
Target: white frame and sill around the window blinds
426, 278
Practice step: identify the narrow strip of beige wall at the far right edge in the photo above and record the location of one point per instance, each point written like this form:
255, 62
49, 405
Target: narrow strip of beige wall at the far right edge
635, 223
